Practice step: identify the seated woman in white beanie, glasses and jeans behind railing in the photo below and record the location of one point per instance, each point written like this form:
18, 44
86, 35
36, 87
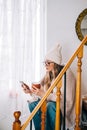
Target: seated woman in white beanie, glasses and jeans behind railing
53, 67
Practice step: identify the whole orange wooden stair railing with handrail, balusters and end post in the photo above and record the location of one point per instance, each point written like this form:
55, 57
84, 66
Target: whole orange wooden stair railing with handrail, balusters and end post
58, 82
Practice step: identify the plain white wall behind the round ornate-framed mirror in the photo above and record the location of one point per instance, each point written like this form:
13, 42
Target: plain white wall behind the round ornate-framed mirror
61, 18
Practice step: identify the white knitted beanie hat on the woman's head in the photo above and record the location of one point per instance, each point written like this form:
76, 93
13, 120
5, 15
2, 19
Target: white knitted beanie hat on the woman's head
55, 55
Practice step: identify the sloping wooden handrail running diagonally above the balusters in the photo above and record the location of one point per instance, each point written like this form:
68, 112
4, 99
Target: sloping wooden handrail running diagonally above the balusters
55, 83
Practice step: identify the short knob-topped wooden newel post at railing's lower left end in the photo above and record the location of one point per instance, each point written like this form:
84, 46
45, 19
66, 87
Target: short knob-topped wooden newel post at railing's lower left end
17, 122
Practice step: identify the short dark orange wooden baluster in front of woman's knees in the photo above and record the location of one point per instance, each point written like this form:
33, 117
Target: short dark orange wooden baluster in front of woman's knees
43, 115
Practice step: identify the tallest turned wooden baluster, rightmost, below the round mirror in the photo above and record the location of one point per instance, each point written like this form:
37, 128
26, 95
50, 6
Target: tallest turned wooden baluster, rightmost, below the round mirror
78, 90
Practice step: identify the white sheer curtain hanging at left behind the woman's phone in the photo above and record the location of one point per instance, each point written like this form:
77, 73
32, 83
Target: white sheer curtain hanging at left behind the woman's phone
22, 49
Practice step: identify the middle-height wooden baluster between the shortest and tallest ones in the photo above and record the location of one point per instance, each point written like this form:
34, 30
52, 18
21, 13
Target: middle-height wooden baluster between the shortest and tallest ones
57, 121
